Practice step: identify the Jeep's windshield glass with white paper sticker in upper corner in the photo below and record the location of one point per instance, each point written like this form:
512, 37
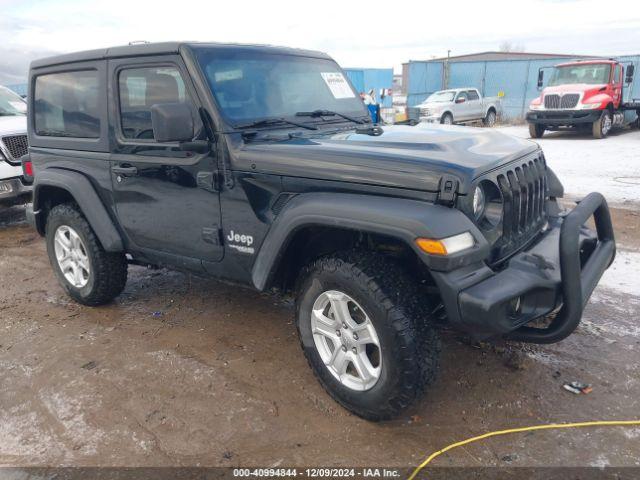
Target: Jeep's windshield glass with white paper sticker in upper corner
250, 85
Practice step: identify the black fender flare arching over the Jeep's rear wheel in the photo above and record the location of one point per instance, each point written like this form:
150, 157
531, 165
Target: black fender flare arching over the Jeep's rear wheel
80, 188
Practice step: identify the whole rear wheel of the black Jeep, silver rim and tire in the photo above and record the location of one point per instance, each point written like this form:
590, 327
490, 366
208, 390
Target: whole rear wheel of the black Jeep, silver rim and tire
88, 273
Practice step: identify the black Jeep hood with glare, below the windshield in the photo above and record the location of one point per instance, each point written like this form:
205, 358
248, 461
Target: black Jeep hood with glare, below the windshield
403, 156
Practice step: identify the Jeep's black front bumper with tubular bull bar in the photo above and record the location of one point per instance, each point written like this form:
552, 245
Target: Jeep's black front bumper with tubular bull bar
556, 275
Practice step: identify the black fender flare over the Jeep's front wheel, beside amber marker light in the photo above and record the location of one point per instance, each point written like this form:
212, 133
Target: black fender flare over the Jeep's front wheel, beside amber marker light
400, 218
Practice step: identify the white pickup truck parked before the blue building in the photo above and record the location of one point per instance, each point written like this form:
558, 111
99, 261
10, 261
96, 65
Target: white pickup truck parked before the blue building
459, 105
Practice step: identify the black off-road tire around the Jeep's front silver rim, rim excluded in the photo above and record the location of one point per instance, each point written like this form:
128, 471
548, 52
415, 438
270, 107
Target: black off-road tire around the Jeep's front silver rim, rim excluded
402, 317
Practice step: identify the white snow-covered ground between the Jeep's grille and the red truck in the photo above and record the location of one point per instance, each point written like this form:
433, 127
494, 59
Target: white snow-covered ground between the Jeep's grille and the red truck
583, 164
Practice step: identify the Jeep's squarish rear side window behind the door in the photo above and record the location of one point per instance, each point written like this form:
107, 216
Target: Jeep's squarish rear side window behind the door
66, 104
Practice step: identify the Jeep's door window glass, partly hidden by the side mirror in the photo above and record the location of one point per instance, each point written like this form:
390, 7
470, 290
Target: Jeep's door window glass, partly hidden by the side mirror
140, 89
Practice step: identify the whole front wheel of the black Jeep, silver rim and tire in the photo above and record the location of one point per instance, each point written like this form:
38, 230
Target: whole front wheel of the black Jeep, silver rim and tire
366, 336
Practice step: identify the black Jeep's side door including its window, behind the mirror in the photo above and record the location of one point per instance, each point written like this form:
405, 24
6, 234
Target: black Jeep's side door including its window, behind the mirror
165, 198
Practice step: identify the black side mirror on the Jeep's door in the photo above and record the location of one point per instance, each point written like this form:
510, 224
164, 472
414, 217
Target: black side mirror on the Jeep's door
172, 122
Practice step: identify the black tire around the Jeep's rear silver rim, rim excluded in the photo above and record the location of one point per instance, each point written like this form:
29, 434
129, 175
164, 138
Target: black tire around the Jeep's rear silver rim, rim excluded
108, 272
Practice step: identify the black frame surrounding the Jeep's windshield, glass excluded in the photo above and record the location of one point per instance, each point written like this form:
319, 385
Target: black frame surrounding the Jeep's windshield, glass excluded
235, 124
